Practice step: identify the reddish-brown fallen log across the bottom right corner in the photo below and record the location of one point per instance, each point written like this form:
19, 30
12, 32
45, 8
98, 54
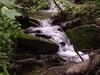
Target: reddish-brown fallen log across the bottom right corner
90, 67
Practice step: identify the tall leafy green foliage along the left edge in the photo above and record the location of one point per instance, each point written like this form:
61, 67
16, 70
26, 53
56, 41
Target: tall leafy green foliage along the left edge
9, 30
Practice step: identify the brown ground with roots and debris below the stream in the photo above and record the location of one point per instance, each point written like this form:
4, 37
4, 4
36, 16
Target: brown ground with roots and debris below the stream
53, 65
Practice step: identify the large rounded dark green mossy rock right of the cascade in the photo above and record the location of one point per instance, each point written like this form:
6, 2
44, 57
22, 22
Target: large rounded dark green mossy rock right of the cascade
87, 37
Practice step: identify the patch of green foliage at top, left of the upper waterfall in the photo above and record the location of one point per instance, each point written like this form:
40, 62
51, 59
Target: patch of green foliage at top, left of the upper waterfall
34, 5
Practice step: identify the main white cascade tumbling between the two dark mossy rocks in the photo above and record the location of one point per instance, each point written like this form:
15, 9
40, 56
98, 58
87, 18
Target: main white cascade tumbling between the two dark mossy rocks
66, 50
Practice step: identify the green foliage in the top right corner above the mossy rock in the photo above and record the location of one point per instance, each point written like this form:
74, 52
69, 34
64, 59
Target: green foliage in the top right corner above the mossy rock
87, 11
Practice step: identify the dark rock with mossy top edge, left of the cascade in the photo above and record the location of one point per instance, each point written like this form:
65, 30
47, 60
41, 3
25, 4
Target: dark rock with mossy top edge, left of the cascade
35, 45
